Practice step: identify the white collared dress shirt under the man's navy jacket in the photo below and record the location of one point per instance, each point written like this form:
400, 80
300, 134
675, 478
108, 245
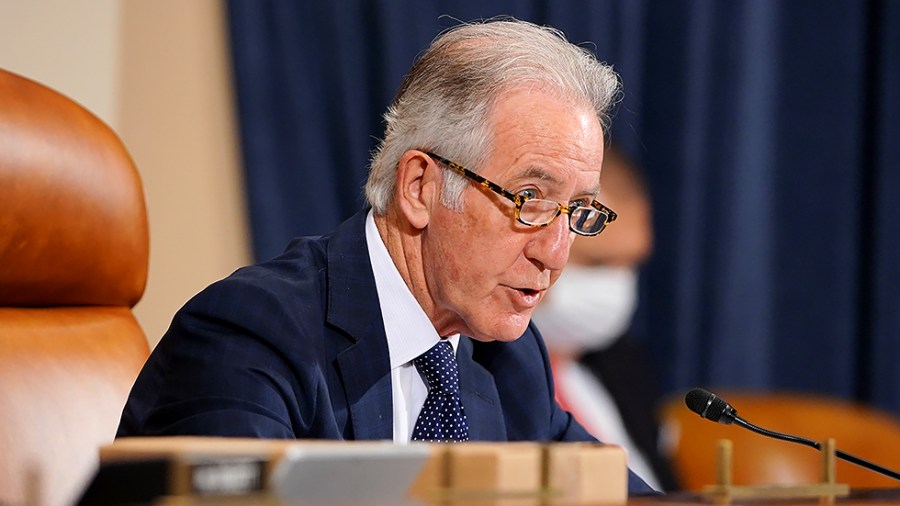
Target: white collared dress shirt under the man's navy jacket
409, 334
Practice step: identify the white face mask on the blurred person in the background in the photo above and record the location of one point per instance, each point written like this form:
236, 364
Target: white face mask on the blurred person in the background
588, 308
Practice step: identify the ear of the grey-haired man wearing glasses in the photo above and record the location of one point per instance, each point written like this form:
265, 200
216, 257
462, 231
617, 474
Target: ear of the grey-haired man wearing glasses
417, 188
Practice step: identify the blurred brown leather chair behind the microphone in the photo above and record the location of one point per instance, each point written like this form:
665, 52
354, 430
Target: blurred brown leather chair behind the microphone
859, 430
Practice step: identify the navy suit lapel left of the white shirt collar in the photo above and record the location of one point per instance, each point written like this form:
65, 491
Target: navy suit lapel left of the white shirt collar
353, 307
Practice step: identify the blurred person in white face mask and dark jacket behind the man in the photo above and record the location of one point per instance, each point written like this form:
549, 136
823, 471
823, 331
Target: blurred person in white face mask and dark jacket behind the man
602, 373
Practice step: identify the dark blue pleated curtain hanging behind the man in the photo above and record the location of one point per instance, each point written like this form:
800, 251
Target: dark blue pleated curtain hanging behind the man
769, 132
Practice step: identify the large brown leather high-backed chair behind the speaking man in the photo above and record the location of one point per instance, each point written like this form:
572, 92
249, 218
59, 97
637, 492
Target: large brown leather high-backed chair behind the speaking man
73, 262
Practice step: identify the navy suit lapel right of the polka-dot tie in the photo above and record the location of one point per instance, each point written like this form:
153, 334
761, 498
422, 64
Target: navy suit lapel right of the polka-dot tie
479, 396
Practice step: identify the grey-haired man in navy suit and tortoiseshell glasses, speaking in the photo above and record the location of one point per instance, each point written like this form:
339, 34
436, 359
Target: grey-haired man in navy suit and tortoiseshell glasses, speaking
302, 346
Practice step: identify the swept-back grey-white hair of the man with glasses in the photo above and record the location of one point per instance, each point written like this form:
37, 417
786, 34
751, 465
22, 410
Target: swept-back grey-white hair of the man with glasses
444, 102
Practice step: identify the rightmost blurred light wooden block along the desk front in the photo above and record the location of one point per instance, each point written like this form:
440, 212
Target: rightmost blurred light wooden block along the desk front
586, 473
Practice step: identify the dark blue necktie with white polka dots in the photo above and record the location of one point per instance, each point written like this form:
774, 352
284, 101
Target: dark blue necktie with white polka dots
442, 417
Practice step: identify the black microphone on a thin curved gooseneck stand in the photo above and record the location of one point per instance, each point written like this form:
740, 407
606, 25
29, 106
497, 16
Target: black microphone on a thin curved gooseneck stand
712, 407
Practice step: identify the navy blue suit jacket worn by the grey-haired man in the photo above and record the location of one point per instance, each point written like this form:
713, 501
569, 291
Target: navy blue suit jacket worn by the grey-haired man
296, 348
